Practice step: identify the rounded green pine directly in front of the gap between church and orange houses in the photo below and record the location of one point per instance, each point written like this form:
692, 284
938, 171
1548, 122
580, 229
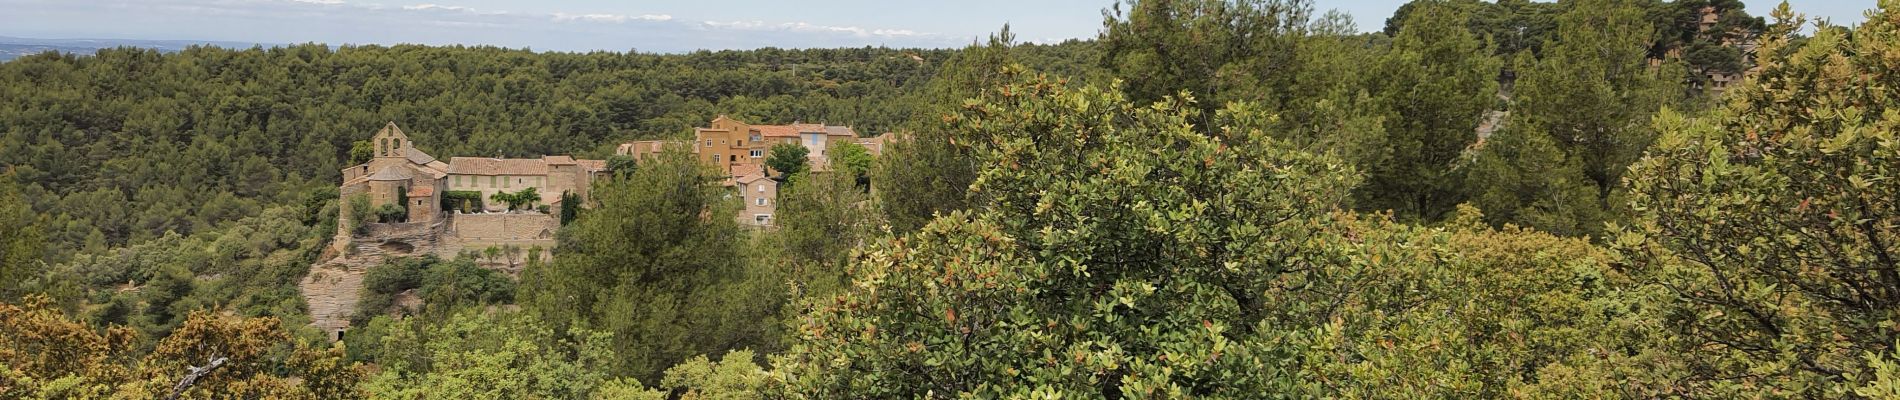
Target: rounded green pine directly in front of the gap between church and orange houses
658, 264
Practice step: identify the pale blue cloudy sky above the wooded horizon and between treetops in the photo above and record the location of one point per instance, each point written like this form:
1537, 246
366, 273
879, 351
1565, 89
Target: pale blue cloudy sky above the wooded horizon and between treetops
622, 26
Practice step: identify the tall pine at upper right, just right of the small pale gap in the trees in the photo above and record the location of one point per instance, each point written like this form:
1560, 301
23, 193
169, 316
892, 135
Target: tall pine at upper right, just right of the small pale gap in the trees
1591, 96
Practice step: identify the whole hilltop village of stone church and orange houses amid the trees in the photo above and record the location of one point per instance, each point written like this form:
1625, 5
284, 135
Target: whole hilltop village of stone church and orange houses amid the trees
406, 202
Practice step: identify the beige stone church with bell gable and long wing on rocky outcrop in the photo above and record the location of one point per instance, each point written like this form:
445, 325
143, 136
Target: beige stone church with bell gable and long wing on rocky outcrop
434, 225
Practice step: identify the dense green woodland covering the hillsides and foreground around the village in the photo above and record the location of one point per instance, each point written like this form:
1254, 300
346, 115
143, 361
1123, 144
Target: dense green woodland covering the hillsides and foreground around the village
1211, 200
